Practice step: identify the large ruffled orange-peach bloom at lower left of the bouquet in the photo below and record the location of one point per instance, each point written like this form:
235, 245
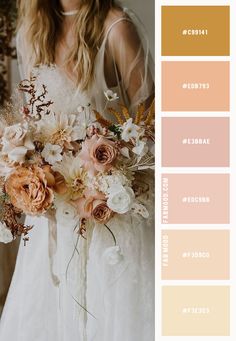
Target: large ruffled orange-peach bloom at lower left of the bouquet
28, 189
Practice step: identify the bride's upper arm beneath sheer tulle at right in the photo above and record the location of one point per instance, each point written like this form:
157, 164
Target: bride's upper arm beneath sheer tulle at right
132, 62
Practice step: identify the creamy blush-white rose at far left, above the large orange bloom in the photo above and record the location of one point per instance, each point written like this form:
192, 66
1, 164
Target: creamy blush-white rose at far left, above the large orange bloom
16, 142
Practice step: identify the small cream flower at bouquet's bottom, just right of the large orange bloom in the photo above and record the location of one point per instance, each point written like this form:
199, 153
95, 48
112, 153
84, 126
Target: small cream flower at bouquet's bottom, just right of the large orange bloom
66, 214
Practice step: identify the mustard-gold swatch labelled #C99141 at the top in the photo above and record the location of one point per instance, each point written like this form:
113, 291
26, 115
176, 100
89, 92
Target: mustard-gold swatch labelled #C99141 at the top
195, 31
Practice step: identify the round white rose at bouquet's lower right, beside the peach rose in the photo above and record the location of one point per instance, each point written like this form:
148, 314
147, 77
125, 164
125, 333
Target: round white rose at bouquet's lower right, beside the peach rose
120, 199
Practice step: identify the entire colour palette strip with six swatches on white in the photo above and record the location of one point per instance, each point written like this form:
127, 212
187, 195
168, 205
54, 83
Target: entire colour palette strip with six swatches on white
196, 217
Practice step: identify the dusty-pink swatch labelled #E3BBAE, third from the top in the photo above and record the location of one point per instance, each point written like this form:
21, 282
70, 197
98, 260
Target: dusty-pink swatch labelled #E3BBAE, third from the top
195, 142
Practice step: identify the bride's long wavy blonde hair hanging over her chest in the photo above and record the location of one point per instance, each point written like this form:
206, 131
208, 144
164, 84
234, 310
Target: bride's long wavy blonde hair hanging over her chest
40, 23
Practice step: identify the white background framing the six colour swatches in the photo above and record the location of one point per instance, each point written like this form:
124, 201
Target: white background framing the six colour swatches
231, 170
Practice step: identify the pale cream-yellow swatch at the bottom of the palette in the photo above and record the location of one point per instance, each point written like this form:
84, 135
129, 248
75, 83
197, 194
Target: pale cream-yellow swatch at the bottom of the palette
195, 310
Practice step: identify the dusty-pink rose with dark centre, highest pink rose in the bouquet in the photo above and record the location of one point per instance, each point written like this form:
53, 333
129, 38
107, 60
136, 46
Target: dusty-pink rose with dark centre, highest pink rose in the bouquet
98, 154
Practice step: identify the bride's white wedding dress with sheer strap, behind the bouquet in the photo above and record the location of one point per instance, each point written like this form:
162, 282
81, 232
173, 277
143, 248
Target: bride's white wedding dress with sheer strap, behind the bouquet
57, 274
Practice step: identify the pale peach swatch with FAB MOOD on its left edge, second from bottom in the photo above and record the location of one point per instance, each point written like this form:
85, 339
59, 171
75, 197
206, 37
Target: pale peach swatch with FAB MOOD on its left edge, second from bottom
195, 254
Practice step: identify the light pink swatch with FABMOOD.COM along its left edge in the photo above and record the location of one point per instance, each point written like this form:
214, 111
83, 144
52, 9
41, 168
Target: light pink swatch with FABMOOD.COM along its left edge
195, 198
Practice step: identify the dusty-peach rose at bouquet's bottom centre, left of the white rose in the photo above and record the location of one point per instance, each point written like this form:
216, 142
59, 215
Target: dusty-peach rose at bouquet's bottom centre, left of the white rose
93, 205
